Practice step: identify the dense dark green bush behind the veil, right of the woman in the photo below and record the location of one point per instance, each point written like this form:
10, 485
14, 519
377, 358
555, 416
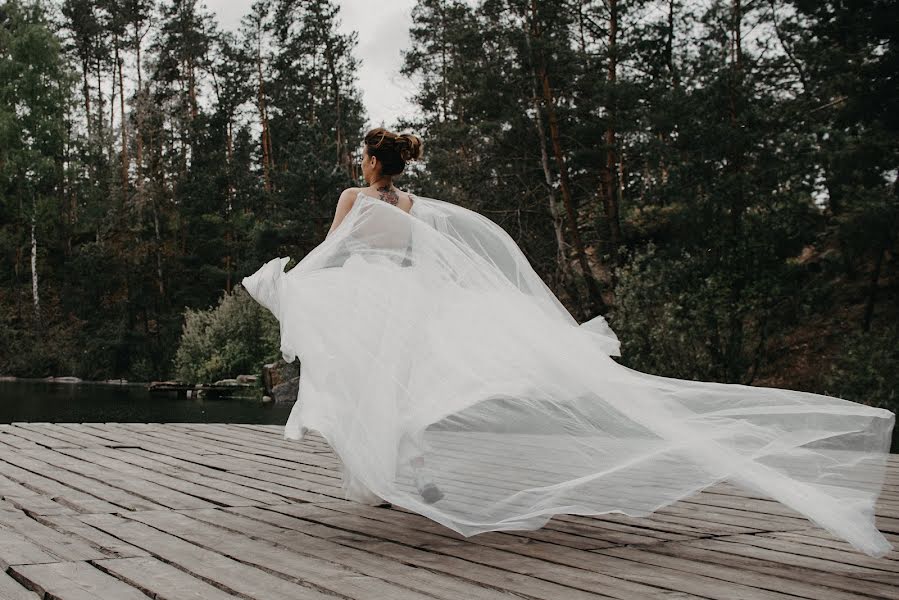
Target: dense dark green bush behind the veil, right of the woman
701, 317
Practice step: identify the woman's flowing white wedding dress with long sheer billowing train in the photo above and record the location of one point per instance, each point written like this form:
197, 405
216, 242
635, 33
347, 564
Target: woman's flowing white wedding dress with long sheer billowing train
426, 338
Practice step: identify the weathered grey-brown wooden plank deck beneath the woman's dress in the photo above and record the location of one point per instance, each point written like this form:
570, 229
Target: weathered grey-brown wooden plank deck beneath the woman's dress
207, 511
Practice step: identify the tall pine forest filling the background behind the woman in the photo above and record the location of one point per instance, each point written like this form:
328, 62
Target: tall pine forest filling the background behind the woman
717, 177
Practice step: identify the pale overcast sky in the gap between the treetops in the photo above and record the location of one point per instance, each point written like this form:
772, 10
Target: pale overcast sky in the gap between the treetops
383, 31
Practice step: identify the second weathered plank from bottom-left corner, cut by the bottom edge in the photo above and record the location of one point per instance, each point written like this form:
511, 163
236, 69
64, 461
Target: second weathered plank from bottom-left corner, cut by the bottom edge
74, 581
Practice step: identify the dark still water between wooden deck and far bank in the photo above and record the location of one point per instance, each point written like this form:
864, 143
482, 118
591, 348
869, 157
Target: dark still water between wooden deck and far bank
53, 402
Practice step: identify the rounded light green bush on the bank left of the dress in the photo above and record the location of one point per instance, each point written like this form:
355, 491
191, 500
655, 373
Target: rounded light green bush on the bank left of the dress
235, 337
